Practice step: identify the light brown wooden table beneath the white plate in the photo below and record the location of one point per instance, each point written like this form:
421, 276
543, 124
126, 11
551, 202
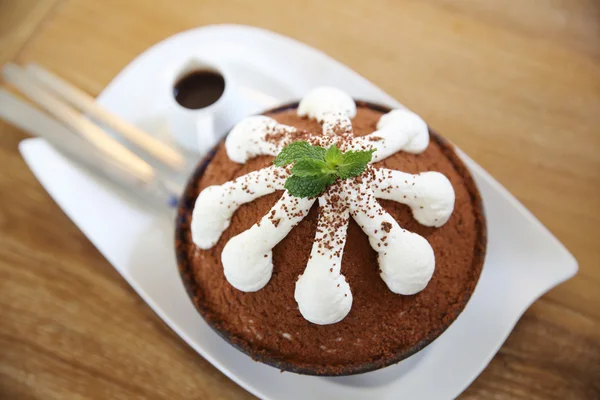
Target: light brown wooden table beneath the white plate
516, 84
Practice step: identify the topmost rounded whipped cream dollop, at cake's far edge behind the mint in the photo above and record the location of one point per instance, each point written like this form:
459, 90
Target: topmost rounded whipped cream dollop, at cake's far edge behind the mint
323, 100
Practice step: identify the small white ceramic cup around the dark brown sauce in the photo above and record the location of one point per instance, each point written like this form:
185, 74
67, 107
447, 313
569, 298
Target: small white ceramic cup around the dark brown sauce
197, 130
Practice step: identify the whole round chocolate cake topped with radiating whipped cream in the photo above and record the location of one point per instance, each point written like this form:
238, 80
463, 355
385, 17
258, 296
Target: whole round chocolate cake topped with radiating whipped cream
289, 308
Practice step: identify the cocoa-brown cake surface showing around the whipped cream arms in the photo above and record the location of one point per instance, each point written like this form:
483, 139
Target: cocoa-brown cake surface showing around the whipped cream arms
381, 324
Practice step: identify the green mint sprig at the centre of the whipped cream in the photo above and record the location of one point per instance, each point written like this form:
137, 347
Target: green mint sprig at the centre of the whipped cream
315, 167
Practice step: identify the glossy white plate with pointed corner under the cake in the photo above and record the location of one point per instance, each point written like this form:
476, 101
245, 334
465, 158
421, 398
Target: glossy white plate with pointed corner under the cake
523, 260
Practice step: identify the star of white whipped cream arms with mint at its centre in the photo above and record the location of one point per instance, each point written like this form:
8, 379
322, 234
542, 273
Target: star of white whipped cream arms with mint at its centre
334, 168
